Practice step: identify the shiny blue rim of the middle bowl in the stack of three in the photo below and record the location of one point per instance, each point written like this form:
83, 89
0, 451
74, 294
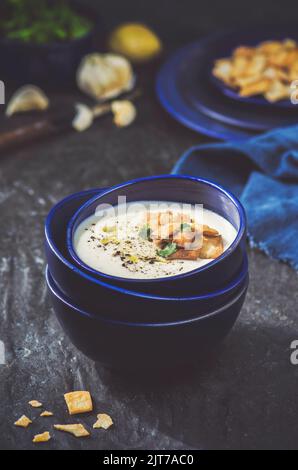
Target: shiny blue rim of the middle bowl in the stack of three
122, 290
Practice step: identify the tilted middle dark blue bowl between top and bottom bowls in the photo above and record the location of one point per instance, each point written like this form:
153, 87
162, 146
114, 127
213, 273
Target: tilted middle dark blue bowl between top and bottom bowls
97, 296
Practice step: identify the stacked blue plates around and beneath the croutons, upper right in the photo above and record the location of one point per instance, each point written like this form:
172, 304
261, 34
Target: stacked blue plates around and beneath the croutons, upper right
186, 91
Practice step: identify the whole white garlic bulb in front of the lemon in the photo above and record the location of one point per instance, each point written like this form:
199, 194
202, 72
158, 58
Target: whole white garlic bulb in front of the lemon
105, 76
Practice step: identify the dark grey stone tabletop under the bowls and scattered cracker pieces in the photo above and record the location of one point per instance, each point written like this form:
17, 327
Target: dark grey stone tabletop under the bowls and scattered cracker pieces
245, 397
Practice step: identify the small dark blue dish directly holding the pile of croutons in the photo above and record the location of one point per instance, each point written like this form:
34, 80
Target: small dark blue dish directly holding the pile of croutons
226, 45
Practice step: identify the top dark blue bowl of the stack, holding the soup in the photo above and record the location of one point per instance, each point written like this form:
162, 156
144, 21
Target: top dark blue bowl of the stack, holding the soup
182, 189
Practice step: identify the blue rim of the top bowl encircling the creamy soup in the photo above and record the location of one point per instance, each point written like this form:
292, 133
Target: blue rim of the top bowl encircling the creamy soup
111, 278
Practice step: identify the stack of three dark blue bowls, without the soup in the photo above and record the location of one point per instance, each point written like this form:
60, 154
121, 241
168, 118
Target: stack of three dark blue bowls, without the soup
131, 323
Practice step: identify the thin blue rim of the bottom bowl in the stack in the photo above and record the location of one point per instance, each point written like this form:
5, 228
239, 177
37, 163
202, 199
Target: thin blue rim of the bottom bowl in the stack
56, 292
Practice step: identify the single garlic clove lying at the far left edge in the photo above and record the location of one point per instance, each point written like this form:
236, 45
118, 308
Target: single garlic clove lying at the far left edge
27, 98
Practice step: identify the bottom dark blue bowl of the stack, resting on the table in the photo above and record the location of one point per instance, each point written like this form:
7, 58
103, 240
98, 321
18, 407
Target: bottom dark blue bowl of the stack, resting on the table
127, 345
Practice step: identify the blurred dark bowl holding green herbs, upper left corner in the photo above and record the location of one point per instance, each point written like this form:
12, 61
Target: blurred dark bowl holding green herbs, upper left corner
53, 64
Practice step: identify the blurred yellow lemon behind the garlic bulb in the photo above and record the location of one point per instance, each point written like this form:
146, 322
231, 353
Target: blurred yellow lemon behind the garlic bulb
135, 41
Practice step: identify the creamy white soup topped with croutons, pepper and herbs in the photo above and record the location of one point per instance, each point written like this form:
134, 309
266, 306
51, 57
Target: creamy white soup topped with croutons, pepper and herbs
148, 240
